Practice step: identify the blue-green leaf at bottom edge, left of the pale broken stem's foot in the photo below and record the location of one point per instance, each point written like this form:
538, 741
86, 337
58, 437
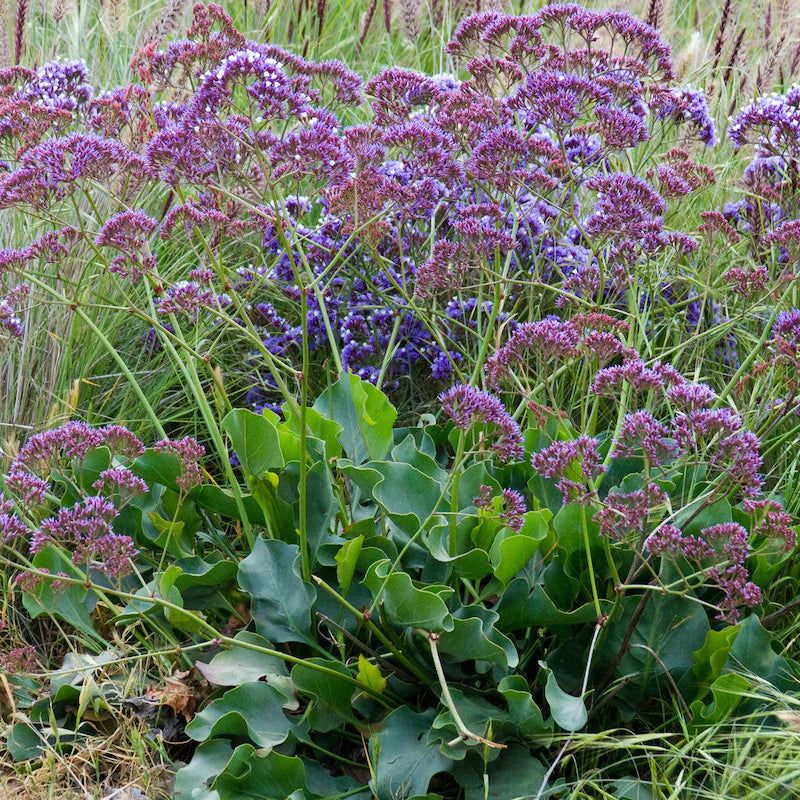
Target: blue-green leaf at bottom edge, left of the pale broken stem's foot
403, 759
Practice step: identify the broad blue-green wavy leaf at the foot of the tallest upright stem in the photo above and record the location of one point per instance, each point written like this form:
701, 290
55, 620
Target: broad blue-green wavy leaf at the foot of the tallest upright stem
282, 601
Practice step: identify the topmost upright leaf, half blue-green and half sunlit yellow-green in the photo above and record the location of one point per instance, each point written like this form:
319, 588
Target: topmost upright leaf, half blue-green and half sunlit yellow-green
364, 413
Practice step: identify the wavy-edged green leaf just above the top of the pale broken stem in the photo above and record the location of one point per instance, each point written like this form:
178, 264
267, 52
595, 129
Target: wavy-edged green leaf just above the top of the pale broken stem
406, 604
